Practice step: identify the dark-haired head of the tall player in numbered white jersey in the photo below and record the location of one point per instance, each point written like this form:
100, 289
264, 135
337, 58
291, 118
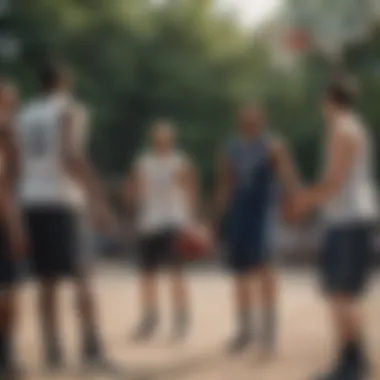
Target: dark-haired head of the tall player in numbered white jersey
54, 78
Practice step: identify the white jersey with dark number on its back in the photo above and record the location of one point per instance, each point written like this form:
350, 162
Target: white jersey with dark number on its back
43, 180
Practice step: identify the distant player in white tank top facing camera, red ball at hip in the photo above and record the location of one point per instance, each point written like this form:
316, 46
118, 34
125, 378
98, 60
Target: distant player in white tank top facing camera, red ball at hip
163, 186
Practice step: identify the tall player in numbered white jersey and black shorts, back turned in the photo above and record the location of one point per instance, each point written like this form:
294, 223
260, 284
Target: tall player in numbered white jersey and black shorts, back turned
48, 133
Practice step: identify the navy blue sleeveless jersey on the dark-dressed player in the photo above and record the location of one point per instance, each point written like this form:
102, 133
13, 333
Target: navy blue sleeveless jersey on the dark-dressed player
253, 191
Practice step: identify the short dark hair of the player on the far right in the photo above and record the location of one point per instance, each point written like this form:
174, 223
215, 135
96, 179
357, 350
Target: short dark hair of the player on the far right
342, 92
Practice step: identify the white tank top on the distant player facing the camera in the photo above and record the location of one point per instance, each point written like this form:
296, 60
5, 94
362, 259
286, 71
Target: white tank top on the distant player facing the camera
163, 201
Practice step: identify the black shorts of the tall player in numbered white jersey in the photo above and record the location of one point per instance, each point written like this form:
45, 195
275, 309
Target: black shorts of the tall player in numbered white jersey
54, 241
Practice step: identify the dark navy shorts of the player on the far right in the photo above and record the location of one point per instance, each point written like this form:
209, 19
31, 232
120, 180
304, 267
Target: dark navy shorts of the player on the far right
346, 258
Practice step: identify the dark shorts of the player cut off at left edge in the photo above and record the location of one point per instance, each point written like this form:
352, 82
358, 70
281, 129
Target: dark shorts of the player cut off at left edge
9, 267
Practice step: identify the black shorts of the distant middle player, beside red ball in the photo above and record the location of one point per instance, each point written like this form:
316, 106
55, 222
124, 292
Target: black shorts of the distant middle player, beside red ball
156, 250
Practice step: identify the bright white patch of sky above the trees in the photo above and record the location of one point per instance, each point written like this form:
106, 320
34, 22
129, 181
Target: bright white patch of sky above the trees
251, 12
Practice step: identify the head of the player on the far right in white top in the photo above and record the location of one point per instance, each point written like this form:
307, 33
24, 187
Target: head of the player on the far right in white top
340, 96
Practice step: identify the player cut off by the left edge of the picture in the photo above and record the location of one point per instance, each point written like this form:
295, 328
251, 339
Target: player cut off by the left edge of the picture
11, 233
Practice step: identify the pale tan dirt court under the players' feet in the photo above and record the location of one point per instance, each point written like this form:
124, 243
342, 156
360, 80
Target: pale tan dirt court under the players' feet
303, 350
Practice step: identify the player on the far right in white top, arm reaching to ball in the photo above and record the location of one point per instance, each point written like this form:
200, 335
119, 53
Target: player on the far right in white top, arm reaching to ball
347, 196
